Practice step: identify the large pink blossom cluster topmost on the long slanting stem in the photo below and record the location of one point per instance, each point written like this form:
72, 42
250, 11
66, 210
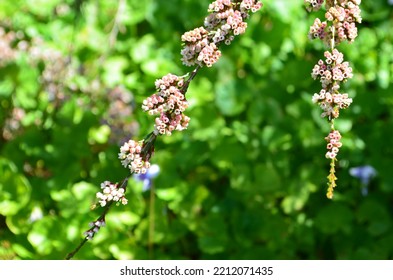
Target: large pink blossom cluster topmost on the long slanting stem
225, 21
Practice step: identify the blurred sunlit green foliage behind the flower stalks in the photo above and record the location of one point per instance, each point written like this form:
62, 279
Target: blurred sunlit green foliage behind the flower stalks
246, 180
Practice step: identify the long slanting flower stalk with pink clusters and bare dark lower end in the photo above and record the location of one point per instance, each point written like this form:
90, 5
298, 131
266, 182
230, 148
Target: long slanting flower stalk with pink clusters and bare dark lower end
226, 20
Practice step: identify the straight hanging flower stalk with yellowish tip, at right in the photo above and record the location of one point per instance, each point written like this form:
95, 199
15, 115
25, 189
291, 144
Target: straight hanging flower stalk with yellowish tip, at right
340, 25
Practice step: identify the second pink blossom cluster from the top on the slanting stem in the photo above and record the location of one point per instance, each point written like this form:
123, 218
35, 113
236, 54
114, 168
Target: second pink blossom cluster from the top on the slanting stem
169, 103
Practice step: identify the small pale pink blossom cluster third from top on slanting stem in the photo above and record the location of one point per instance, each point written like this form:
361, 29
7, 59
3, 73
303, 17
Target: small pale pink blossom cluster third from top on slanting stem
131, 157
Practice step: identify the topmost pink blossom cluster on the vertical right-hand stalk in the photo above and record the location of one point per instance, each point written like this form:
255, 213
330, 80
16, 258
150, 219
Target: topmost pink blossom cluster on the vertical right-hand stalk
343, 17
